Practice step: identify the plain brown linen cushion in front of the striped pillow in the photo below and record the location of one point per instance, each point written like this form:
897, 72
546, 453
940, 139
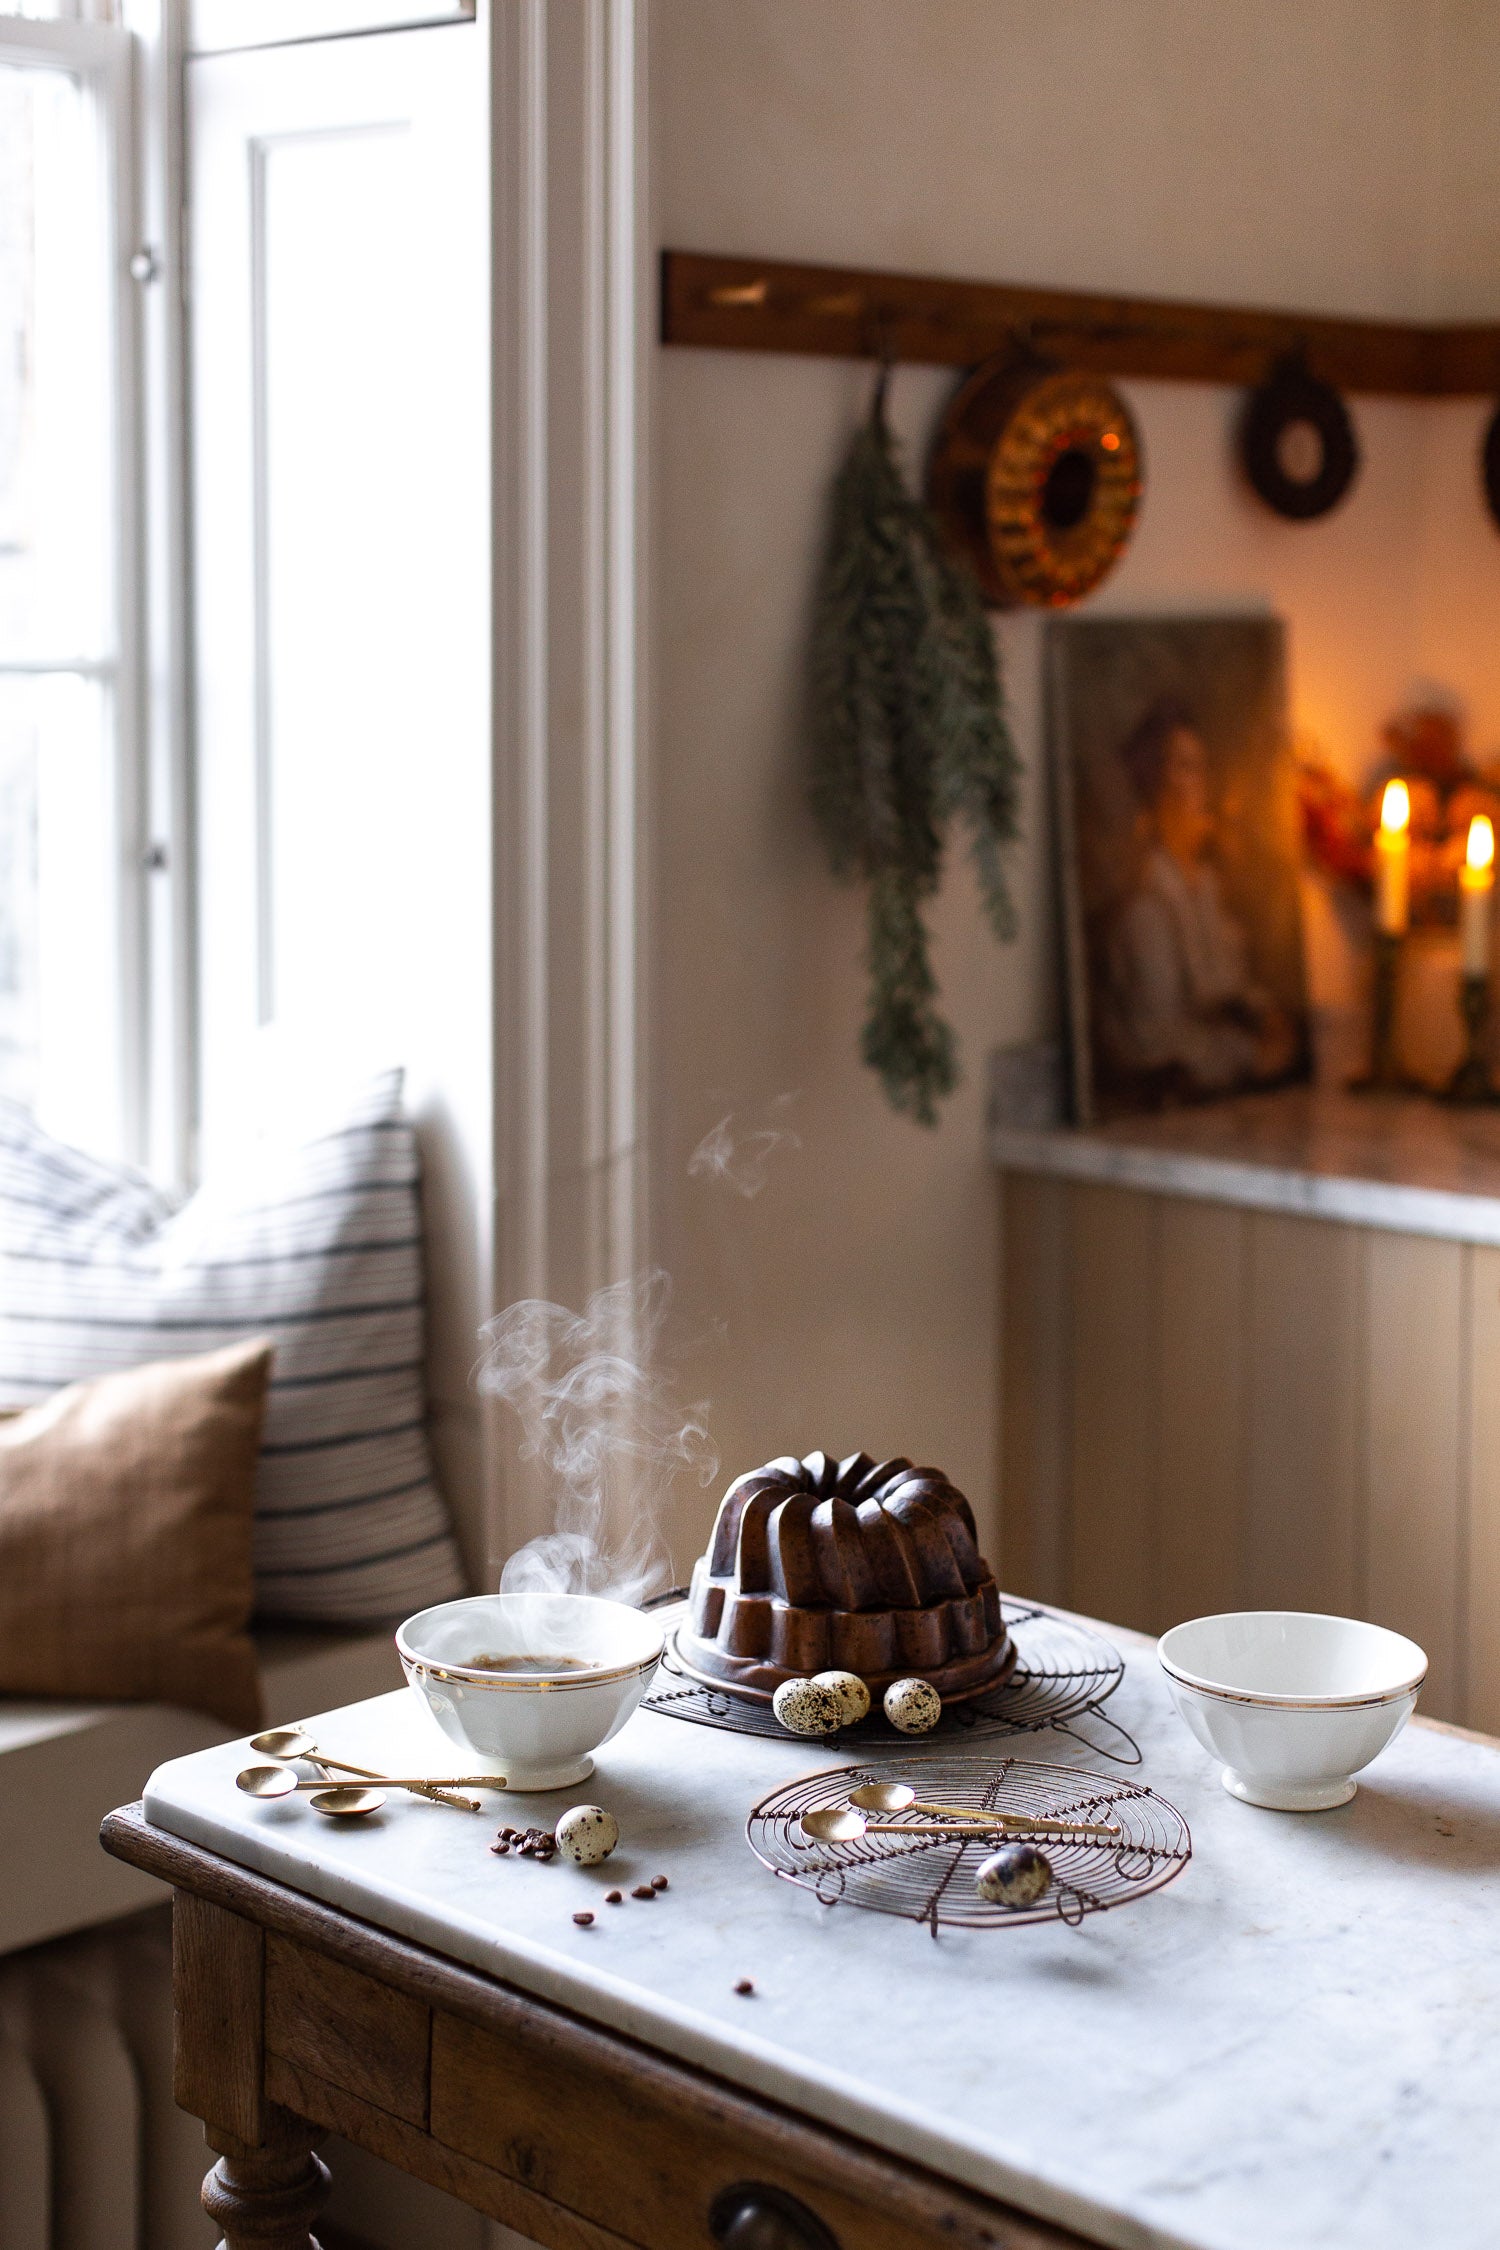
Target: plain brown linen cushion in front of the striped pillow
125, 1538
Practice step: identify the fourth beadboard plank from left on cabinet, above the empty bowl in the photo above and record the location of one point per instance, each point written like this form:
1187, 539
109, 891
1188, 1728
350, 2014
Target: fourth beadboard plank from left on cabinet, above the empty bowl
1305, 1414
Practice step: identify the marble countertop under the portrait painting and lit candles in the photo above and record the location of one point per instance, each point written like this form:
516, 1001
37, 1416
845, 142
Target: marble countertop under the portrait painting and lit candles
1398, 1162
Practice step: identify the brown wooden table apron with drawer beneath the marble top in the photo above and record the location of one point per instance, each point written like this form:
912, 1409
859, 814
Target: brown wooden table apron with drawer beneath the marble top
584, 2139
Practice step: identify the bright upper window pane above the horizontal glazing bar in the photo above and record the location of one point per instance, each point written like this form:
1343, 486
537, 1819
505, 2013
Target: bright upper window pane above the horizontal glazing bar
55, 370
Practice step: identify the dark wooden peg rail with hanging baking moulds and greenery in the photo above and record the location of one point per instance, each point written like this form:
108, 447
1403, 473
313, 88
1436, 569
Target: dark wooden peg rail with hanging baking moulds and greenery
849, 314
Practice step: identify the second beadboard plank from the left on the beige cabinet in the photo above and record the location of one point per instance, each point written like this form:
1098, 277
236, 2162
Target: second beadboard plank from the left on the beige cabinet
1112, 1545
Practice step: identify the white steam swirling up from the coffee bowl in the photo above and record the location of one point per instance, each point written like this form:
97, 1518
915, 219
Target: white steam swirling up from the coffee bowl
606, 1430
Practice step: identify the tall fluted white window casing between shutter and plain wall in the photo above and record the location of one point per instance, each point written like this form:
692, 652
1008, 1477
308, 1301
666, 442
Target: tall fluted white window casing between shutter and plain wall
572, 339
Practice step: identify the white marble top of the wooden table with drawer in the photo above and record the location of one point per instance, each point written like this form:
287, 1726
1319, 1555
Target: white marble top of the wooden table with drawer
1296, 2044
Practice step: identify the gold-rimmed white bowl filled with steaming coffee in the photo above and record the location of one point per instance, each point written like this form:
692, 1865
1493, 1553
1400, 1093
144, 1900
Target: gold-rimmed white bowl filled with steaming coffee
541, 1727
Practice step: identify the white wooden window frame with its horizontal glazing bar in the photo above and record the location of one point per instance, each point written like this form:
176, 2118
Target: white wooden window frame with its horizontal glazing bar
102, 57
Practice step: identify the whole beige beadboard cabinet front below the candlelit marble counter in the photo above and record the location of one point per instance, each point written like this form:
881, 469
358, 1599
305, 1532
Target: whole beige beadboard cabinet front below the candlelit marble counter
1209, 1407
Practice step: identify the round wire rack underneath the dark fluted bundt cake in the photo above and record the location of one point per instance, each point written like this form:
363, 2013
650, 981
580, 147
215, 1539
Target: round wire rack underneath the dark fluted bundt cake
1065, 1675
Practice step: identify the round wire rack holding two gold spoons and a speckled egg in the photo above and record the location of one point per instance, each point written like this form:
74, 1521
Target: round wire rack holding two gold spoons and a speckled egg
932, 1880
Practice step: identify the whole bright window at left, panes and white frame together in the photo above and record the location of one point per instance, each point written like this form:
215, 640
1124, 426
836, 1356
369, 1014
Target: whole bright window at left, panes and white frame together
71, 825
